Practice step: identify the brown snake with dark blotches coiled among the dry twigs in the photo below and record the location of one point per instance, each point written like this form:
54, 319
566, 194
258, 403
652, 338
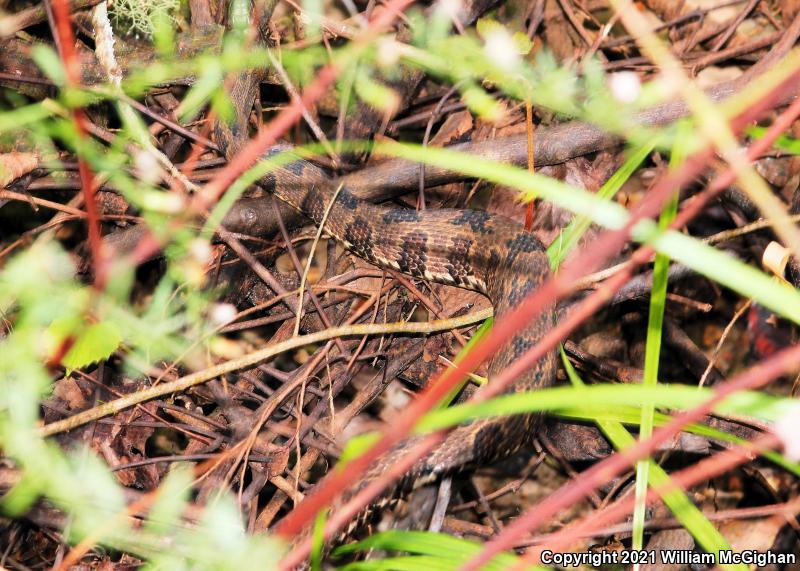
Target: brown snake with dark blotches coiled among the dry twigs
472, 249
